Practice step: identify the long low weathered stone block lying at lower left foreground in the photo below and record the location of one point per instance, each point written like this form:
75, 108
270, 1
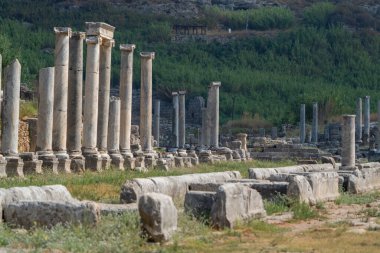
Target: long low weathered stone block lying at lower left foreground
28, 214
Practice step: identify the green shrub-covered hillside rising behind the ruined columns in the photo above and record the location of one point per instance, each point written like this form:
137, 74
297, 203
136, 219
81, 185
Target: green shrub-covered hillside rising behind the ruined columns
326, 52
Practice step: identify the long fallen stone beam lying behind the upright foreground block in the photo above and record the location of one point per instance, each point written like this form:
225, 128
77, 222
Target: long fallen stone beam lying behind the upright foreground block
174, 186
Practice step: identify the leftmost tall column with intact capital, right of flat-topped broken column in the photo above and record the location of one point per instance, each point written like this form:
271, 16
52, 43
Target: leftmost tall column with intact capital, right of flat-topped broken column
61, 75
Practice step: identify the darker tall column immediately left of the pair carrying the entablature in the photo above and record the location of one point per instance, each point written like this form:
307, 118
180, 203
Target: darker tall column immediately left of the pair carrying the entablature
74, 108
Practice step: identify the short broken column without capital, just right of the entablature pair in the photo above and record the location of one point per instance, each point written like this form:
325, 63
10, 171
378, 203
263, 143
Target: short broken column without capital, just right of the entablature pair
114, 134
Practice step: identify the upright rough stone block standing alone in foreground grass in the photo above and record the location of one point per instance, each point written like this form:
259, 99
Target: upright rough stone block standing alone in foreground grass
158, 216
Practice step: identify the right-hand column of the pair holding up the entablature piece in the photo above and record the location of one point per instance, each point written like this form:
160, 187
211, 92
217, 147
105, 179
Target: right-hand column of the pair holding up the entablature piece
104, 98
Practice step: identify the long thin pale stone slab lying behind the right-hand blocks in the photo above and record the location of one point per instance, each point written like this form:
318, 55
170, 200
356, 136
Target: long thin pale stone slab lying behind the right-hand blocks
279, 174
